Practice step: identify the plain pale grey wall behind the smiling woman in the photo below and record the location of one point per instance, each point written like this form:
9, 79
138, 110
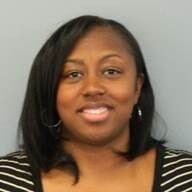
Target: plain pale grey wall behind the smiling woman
163, 29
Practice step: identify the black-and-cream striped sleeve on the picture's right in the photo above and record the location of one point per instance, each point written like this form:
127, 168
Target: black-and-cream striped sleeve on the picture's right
176, 173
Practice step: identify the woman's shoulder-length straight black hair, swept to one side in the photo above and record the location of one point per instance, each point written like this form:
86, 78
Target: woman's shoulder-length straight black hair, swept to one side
44, 144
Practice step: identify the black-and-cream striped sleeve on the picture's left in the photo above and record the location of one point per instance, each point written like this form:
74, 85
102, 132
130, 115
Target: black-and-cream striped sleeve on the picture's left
15, 174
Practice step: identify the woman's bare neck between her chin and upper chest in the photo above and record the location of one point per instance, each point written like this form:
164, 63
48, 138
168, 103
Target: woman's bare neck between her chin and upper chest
97, 160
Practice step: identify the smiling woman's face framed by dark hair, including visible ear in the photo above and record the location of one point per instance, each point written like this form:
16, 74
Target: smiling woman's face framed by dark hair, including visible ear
98, 89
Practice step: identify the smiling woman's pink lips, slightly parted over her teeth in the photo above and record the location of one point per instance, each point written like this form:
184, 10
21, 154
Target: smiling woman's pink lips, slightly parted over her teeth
95, 113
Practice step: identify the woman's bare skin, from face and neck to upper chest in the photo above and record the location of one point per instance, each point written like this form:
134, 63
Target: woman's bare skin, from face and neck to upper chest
96, 95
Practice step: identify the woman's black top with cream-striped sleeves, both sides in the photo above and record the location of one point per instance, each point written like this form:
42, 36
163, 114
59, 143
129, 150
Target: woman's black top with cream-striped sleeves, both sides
173, 172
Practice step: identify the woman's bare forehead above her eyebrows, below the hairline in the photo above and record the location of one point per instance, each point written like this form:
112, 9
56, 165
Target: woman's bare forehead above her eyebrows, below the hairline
103, 39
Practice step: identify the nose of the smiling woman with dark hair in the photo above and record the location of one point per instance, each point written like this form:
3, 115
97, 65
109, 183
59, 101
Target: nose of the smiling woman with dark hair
94, 87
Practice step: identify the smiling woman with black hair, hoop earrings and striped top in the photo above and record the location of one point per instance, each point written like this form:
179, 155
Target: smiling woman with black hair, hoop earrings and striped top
87, 116
